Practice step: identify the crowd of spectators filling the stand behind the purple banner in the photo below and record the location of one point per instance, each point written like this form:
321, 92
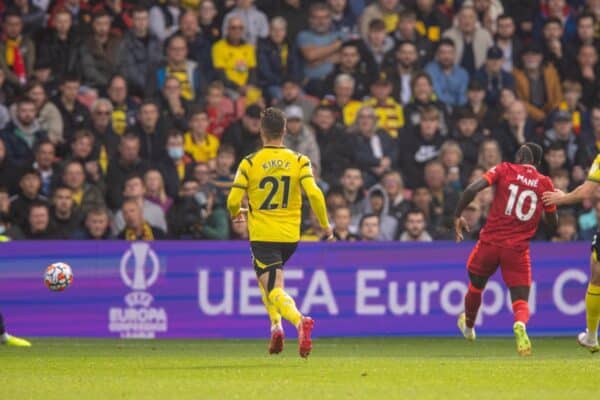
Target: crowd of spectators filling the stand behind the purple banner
127, 119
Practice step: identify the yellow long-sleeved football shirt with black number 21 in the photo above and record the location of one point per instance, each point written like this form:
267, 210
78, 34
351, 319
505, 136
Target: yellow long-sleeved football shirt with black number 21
273, 179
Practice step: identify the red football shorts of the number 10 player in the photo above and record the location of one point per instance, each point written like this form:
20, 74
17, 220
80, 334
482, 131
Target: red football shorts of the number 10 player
515, 265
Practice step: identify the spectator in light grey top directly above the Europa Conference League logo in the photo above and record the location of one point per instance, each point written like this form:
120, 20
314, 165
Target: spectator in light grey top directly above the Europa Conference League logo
134, 190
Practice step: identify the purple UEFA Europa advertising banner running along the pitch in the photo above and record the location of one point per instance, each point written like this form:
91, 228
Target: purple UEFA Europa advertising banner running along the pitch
208, 289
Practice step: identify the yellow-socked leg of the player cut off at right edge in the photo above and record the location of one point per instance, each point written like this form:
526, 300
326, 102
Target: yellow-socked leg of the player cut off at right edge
589, 338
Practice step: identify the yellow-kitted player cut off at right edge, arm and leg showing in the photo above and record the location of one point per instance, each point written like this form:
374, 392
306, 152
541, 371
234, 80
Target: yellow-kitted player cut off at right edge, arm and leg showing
589, 338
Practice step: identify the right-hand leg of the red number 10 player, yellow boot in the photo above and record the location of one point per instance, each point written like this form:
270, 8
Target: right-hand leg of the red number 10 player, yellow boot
516, 272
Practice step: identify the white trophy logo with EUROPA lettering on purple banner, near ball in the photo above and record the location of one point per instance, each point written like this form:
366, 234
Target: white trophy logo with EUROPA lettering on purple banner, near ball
138, 320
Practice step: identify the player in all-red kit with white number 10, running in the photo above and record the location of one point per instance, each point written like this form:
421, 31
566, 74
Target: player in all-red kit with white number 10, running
504, 240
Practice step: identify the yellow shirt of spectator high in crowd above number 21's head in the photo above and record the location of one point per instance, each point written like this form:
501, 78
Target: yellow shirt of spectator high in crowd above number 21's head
236, 61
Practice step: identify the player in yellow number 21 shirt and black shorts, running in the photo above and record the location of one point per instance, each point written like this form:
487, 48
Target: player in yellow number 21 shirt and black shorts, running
273, 179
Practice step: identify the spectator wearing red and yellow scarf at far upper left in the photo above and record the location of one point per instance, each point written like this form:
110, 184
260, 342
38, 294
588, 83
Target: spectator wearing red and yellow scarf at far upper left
17, 51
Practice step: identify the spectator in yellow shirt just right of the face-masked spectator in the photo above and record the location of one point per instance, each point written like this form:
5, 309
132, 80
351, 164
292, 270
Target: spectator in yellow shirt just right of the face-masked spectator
198, 142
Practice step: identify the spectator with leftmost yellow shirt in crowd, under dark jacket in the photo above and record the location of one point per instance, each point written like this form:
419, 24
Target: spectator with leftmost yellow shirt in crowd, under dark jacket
124, 108
